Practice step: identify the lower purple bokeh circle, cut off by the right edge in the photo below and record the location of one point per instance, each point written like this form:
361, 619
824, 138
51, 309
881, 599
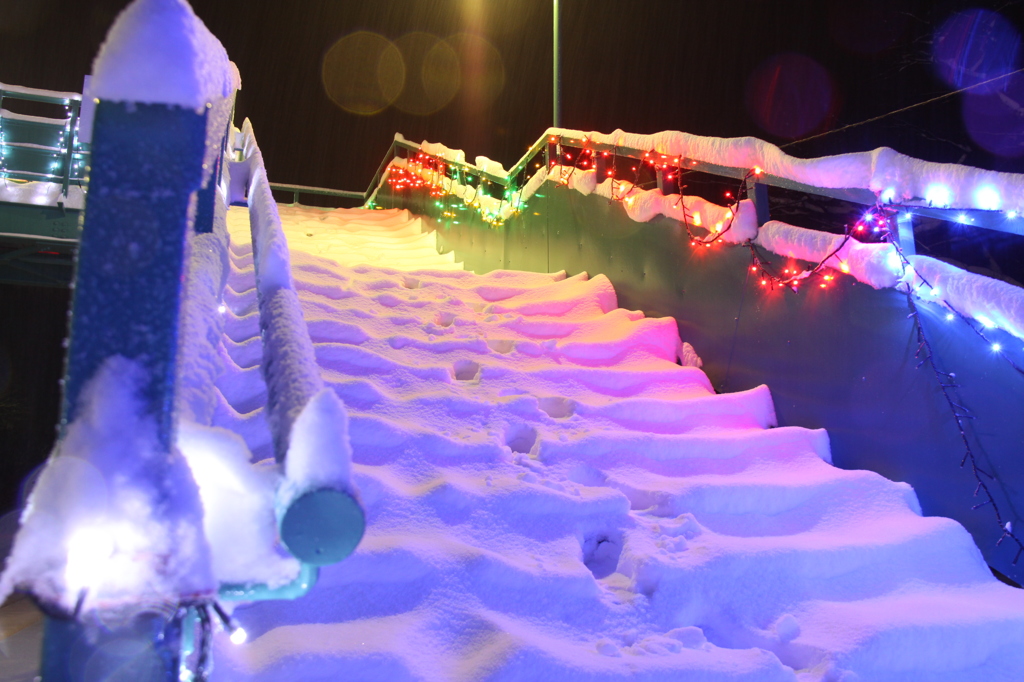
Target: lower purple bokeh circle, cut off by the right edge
996, 121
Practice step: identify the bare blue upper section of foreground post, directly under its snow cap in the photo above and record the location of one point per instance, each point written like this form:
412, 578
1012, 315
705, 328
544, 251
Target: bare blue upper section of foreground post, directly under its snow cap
147, 165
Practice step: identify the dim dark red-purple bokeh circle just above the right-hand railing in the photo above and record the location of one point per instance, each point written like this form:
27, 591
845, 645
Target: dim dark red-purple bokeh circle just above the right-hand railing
791, 96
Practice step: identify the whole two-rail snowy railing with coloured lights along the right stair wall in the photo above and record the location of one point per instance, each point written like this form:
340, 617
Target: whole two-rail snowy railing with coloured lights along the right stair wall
991, 303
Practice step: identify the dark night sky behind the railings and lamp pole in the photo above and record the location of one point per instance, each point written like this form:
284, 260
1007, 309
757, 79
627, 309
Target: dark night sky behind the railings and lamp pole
642, 66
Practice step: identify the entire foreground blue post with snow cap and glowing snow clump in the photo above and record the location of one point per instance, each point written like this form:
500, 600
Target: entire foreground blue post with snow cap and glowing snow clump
112, 544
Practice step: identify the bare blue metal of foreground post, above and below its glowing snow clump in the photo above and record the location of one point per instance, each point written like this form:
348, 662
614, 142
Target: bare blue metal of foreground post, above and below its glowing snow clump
147, 172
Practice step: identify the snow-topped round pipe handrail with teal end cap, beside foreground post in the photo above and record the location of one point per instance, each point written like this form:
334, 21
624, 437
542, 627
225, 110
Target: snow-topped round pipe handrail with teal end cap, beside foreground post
321, 521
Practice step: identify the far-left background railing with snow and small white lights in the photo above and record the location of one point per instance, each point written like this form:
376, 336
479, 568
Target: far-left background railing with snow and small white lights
35, 148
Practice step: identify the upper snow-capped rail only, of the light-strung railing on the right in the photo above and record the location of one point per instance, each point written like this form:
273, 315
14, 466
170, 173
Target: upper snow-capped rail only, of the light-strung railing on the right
949, 192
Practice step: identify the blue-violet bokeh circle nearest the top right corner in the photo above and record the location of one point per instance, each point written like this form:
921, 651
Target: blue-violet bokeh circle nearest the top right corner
974, 47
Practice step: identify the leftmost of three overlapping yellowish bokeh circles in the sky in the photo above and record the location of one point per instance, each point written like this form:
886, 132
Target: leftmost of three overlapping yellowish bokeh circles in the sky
364, 73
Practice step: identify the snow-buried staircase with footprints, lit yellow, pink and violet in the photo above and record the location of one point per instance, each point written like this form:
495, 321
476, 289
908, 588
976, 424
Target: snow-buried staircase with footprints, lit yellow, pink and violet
551, 497
